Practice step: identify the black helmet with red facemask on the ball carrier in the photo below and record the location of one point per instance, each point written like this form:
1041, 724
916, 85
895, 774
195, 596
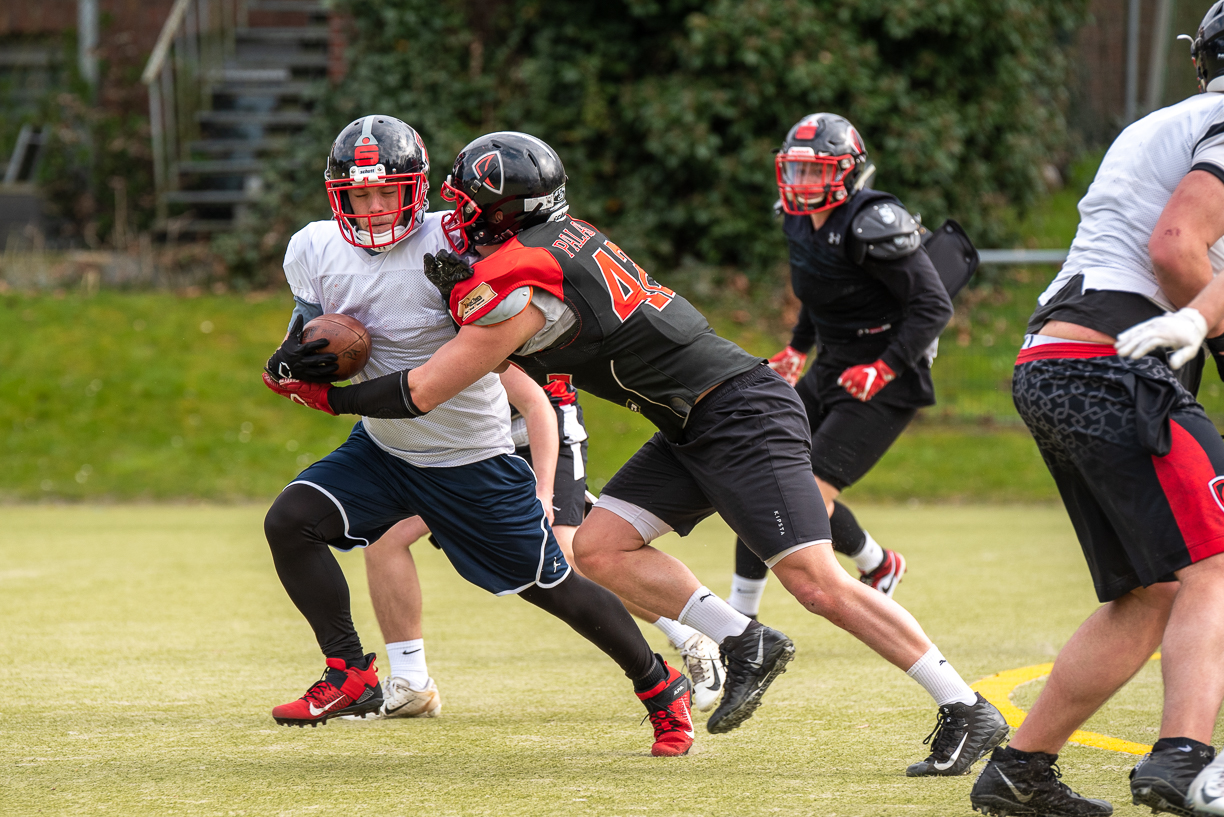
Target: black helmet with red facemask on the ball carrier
378, 151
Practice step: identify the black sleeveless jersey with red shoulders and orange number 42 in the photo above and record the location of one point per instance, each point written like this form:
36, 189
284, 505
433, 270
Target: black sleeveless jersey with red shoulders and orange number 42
636, 342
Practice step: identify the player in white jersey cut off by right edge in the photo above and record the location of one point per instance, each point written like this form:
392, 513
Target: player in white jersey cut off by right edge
1138, 464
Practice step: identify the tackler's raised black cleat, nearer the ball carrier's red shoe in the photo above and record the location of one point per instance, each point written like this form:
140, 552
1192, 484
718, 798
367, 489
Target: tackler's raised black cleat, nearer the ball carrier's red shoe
753, 660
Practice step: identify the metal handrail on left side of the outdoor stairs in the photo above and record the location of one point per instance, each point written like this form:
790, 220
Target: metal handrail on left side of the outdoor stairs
196, 40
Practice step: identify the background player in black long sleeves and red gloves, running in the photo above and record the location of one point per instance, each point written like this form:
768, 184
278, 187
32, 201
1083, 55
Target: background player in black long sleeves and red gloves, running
872, 296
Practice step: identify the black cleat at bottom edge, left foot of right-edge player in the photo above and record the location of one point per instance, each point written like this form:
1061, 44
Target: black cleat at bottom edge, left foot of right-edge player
1029, 783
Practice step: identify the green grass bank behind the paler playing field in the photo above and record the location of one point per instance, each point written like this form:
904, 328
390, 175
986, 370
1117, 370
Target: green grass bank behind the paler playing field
128, 397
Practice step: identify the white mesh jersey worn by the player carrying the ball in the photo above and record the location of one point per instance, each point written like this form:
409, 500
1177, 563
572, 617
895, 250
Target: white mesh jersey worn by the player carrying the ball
408, 323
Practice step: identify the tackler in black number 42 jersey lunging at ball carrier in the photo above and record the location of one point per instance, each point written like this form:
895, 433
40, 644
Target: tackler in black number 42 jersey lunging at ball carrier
556, 297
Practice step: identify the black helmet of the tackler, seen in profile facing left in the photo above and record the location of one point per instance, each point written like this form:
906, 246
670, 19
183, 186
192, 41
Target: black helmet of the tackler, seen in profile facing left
502, 184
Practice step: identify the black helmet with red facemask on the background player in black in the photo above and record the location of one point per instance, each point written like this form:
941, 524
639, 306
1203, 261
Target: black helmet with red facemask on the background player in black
818, 165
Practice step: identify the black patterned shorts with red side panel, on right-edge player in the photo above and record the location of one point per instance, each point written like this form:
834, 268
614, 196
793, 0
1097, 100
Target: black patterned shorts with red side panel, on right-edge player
1136, 461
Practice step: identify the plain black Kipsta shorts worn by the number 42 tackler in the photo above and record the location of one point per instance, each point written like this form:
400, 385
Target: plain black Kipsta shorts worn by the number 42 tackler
746, 454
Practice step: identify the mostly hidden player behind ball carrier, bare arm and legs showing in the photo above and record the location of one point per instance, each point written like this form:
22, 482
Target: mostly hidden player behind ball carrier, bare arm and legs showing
542, 420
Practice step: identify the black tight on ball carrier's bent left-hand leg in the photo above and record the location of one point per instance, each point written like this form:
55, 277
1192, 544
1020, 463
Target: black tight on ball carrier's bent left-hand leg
299, 526
